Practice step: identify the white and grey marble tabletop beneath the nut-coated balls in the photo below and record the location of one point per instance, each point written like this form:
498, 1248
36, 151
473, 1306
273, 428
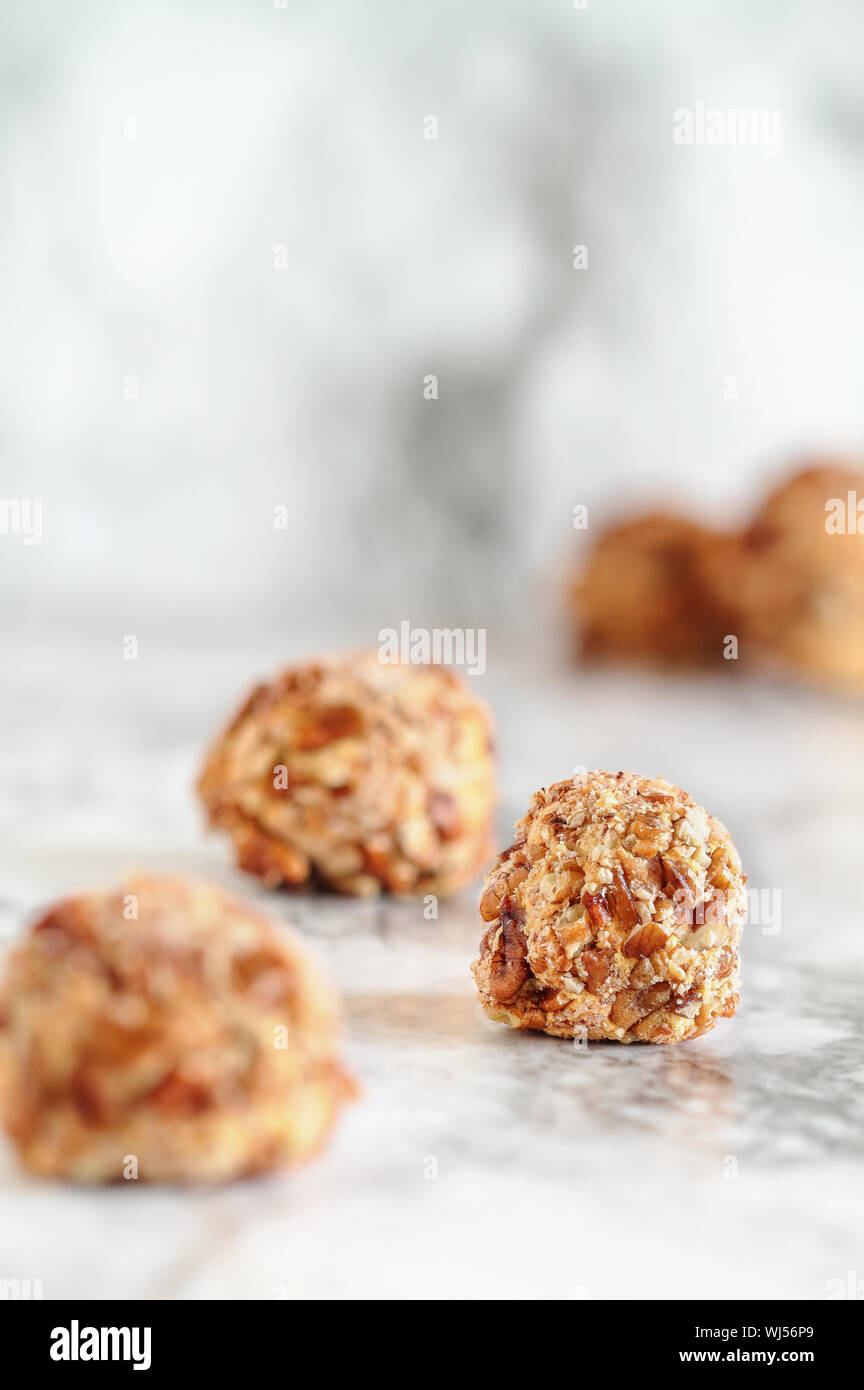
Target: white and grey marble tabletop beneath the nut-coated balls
727, 1167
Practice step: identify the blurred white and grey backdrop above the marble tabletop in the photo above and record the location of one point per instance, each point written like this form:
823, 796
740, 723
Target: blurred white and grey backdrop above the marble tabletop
159, 165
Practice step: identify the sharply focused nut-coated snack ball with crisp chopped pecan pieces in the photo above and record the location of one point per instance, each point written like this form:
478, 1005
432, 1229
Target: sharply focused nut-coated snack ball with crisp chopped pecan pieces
616, 914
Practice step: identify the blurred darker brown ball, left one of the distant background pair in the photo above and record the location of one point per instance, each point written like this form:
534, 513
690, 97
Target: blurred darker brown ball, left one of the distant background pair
641, 596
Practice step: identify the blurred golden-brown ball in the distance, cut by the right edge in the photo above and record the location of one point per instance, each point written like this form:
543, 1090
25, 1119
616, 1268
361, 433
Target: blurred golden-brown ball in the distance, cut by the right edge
798, 576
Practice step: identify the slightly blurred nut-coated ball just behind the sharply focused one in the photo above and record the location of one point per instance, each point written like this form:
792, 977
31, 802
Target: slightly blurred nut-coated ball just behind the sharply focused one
359, 776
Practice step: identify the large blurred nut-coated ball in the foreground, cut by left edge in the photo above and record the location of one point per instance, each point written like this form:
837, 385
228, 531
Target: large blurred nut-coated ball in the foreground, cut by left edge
166, 1033
